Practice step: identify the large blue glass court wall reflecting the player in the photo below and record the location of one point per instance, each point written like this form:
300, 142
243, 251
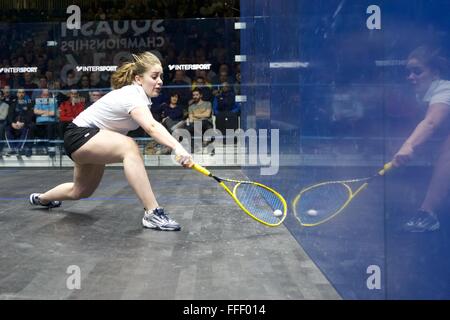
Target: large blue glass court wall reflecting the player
346, 83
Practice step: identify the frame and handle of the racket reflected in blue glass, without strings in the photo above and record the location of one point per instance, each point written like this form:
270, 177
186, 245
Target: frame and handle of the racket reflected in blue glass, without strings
351, 194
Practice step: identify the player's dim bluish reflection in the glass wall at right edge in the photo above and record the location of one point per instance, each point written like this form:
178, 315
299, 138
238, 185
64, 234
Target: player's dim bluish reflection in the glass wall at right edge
428, 70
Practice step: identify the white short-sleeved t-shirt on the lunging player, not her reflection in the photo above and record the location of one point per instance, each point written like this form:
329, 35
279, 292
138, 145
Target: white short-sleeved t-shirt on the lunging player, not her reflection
112, 111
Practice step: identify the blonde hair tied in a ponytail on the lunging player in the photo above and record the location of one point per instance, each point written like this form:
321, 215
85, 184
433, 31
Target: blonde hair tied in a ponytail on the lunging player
126, 73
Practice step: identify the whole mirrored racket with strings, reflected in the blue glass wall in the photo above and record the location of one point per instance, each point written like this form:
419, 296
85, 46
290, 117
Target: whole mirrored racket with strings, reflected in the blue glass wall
321, 202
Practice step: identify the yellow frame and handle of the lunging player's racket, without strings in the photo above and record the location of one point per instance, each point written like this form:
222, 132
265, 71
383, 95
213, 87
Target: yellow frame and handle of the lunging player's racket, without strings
207, 173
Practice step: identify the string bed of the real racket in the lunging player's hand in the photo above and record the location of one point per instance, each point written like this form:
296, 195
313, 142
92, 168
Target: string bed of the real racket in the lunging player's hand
260, 202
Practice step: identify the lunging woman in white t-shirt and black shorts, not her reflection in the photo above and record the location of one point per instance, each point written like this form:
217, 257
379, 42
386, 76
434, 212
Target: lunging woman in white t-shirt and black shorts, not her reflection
97, 137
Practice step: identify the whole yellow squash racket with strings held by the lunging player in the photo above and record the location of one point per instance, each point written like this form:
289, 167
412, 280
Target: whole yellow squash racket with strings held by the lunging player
260, 202
